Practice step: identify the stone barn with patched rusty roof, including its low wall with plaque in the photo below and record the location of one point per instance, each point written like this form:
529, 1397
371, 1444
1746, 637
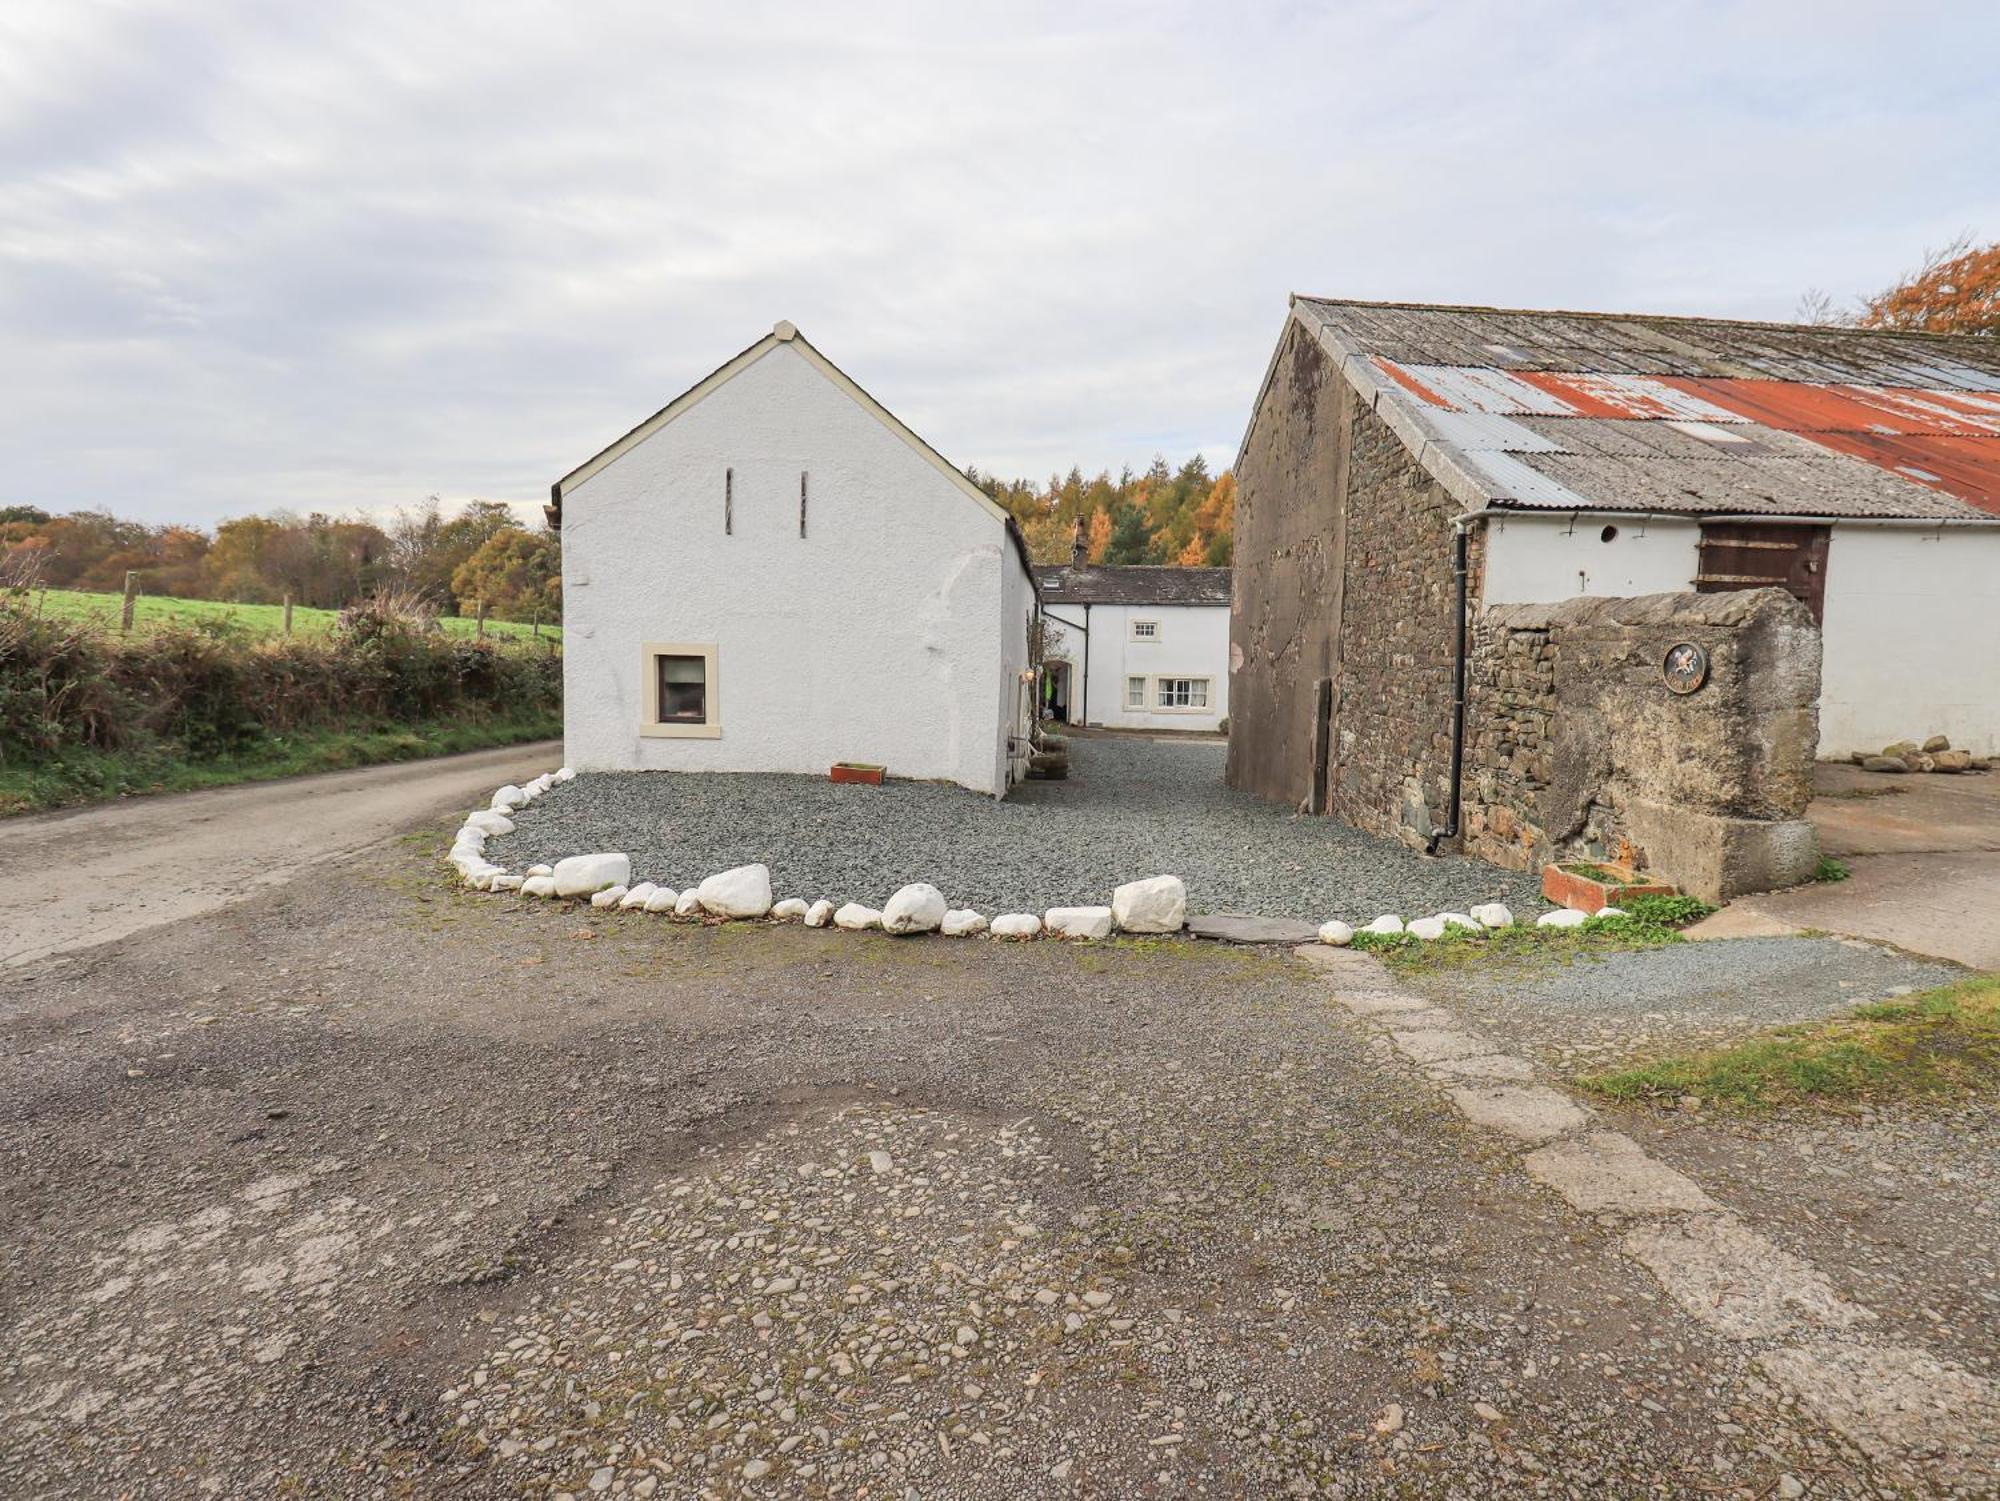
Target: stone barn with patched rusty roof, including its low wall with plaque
1473, 547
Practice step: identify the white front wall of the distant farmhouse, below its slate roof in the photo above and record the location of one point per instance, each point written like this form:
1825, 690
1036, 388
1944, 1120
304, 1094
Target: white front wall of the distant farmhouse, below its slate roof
1193, 643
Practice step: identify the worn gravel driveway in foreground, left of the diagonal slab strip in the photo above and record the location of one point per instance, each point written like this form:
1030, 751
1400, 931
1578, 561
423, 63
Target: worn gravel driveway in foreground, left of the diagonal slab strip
377, 1188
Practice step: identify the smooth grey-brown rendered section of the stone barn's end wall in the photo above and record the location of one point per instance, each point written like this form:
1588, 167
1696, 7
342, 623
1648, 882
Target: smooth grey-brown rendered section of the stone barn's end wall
1287, 571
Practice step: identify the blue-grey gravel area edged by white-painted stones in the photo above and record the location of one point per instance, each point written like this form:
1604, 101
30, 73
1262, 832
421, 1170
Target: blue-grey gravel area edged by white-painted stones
1131, 810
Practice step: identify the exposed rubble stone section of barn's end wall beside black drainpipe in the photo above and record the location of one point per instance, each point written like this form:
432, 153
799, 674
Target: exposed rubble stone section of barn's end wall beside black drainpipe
1393, 713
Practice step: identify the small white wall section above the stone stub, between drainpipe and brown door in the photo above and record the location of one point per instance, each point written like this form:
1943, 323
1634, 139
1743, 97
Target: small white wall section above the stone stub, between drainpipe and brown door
1551, 559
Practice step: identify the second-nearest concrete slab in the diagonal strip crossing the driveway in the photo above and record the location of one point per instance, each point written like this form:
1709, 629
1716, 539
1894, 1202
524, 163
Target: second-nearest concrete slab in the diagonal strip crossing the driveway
1731, 1278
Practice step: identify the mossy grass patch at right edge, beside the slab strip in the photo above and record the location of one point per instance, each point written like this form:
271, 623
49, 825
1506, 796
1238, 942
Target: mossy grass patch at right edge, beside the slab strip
1937, 1044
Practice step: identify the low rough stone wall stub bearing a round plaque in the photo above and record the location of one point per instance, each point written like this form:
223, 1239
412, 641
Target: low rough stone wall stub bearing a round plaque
1579, 752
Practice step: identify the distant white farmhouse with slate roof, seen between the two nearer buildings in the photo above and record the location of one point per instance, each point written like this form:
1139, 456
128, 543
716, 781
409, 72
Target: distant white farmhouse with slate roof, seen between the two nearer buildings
1137, 647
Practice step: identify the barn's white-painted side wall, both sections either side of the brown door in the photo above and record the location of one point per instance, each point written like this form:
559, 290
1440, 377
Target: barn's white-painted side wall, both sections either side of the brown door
1911, 643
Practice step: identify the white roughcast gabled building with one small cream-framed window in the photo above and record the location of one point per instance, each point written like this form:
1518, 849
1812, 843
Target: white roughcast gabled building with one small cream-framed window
773, 573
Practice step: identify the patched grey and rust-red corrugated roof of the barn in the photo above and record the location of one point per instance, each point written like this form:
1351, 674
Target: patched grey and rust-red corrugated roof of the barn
1695, 415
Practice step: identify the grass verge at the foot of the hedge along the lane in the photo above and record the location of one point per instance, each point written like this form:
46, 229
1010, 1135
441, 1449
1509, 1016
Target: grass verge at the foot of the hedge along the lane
97, 778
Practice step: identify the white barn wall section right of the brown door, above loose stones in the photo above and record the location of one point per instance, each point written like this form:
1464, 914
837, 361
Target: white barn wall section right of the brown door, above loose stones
1911, 637
